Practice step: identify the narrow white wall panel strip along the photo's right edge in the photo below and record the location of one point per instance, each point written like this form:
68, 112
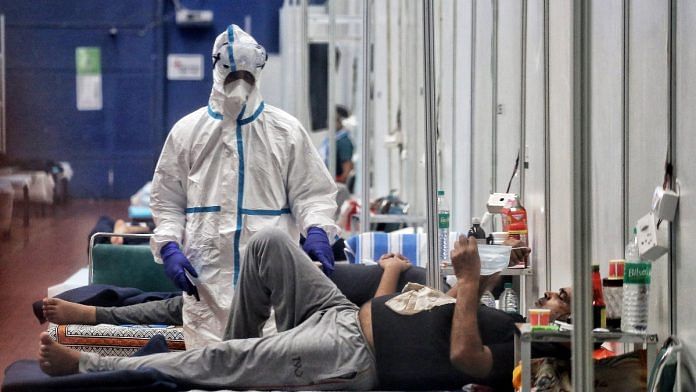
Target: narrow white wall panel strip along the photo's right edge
685, 166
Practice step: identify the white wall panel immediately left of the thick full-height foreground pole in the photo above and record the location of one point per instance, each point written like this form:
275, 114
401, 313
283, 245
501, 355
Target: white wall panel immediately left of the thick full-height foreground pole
560, 118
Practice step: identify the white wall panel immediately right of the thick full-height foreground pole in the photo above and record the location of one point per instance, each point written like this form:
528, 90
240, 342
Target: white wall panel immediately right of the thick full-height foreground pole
607, 132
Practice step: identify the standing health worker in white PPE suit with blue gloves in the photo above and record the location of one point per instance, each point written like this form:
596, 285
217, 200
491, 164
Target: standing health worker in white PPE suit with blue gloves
227, 171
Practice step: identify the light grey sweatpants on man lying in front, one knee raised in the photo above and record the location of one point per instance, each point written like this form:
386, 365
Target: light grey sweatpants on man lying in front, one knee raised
319, 345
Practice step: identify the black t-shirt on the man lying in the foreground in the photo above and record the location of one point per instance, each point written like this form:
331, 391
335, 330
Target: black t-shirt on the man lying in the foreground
413, 351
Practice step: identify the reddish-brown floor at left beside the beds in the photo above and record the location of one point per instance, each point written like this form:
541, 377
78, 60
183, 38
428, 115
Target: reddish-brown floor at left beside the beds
49, 251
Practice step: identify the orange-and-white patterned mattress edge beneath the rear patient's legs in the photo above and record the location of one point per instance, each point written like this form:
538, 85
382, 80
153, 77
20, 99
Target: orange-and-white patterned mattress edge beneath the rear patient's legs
114, 340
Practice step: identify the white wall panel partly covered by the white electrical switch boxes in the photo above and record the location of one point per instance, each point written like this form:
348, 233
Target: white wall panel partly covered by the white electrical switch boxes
648, 130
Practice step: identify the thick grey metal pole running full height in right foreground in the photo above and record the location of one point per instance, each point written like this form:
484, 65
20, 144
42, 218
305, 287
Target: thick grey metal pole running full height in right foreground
583, 372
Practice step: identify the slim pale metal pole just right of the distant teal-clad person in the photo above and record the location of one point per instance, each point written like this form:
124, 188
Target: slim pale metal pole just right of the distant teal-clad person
364, 147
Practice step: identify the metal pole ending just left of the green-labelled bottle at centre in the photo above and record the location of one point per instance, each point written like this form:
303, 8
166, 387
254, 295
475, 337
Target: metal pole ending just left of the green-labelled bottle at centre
433, 268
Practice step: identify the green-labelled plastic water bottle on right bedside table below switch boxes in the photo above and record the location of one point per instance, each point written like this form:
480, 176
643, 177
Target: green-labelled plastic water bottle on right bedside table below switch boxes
636, 289
